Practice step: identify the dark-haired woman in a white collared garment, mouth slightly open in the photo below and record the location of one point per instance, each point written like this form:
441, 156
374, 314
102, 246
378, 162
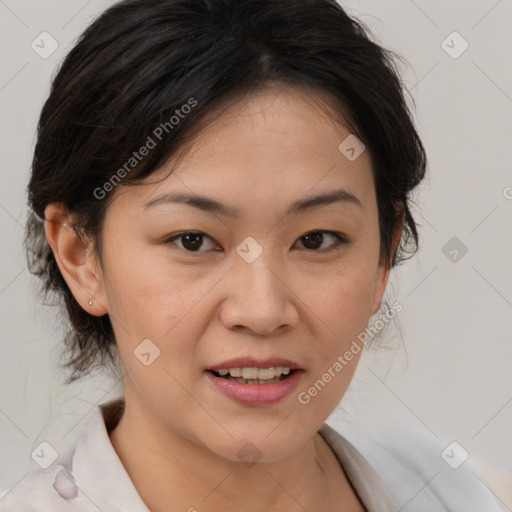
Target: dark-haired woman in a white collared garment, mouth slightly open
219, 190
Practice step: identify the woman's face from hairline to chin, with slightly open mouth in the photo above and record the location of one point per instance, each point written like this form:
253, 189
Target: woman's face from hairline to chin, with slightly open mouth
248, 283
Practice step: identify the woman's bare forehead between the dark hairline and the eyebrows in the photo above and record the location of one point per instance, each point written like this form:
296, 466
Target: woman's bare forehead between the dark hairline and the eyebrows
273, 146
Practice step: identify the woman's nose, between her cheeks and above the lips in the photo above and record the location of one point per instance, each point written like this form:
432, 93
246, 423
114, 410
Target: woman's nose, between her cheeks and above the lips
259, 299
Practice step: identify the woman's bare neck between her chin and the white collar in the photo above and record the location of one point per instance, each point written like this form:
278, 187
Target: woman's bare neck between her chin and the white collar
170, 470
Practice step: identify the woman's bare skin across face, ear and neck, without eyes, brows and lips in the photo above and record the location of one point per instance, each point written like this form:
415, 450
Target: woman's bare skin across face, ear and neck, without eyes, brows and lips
179, 436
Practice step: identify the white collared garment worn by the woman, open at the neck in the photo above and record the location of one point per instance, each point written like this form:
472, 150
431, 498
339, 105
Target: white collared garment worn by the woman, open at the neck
93, 478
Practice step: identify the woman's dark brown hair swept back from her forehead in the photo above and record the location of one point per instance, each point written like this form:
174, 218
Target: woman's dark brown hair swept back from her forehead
140, 61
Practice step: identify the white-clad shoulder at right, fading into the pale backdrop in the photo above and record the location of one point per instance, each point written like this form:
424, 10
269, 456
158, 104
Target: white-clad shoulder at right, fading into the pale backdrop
422, 472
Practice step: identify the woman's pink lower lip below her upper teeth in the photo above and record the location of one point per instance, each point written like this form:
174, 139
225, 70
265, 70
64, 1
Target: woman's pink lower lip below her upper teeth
256, 394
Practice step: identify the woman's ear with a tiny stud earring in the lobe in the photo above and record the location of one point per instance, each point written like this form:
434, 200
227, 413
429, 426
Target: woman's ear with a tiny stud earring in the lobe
76, 259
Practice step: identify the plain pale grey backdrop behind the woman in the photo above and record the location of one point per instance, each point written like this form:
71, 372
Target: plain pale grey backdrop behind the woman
449, 375
